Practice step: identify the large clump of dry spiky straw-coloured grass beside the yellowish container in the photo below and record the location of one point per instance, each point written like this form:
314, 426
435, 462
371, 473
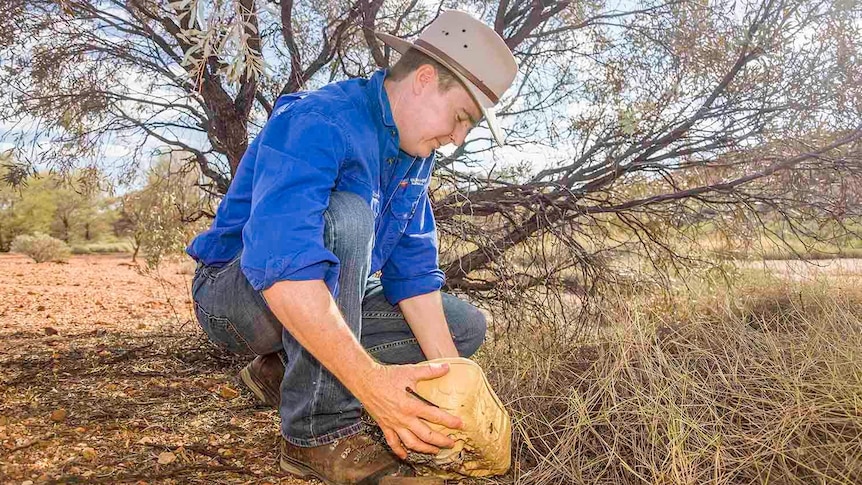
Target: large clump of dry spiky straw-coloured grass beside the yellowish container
759, 385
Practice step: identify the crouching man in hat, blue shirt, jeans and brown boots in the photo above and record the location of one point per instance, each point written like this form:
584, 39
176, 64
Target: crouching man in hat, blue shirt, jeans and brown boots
330, 194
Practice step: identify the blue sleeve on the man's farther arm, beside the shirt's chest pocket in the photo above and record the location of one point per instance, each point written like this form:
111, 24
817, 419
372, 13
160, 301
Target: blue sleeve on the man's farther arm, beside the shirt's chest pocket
413, 269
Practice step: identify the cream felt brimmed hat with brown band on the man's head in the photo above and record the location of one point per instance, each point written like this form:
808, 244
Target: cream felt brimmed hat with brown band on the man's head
473, 52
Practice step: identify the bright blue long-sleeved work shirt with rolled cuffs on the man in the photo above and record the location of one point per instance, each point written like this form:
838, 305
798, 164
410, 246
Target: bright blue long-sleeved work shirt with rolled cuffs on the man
340, 137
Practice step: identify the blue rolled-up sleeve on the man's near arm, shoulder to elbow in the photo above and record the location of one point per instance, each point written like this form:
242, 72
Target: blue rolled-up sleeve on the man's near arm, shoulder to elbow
297, 163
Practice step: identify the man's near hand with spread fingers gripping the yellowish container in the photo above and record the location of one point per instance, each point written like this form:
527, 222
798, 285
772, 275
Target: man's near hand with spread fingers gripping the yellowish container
398, 413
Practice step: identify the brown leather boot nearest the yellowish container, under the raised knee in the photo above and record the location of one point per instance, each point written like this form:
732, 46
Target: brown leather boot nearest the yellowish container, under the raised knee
357, 459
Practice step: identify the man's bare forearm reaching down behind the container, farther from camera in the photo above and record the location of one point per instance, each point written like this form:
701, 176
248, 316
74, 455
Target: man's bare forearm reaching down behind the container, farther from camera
424, 314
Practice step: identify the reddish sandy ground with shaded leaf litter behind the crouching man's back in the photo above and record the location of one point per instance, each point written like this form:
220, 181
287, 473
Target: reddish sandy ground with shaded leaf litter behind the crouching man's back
105, 378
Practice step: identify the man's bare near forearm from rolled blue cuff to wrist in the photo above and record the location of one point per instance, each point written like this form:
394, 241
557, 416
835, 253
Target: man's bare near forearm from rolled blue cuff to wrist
308, 311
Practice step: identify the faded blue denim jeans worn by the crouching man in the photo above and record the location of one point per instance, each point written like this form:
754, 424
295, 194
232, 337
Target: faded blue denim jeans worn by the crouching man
316, 408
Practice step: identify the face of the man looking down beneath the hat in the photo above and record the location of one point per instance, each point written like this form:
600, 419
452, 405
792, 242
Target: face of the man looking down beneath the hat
435, 118
